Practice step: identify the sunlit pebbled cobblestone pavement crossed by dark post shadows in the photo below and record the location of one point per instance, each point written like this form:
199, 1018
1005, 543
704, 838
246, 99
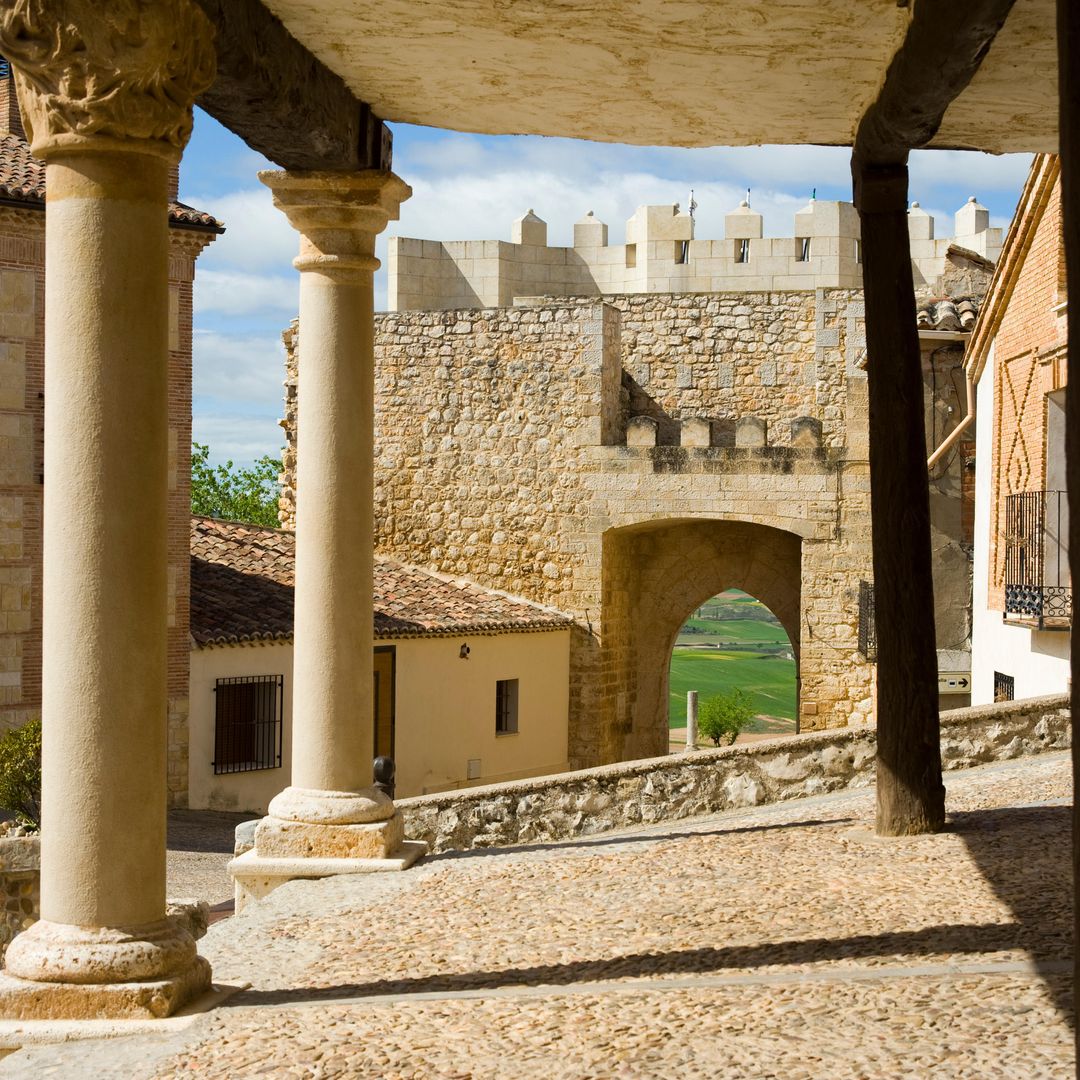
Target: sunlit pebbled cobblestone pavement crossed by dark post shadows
782, 942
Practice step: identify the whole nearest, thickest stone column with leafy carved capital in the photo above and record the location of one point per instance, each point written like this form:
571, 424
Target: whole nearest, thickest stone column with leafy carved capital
106, 93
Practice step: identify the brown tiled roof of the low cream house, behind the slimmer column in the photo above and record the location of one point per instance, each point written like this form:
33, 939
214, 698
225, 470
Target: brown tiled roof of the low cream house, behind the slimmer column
242, 591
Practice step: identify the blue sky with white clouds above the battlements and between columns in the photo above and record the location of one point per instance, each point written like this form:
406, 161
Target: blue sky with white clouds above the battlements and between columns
471, 187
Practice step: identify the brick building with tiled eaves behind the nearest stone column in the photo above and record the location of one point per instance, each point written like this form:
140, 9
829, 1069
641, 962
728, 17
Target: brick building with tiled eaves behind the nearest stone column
22, 425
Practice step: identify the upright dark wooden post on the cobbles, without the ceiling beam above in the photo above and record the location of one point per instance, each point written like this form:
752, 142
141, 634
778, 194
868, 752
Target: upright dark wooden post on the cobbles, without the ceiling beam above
911, 798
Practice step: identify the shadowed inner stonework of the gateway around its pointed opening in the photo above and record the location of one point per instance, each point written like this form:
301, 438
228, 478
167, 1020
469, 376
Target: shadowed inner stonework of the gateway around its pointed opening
655, 575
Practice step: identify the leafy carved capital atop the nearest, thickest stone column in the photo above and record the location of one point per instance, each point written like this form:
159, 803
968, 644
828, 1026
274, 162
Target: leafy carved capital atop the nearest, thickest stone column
119, 72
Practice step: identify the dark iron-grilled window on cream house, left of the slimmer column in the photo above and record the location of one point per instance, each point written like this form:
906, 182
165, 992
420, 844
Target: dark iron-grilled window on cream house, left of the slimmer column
248, 723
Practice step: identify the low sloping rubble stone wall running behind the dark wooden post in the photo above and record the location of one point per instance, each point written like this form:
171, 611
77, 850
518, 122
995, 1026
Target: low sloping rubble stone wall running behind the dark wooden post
687, 786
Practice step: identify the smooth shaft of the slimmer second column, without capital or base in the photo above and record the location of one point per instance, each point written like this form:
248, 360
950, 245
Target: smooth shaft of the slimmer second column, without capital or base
333, 724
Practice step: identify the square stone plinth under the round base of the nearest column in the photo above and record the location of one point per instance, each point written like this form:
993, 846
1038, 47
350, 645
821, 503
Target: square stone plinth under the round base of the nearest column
151, 1000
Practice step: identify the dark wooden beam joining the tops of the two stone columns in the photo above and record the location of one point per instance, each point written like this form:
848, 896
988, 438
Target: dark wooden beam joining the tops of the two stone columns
282, 101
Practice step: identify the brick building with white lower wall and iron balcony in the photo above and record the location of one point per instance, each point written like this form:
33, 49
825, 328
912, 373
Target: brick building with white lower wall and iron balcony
1023, 598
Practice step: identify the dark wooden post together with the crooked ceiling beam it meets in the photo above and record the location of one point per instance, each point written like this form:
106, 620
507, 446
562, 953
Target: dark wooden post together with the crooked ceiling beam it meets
942, 52
